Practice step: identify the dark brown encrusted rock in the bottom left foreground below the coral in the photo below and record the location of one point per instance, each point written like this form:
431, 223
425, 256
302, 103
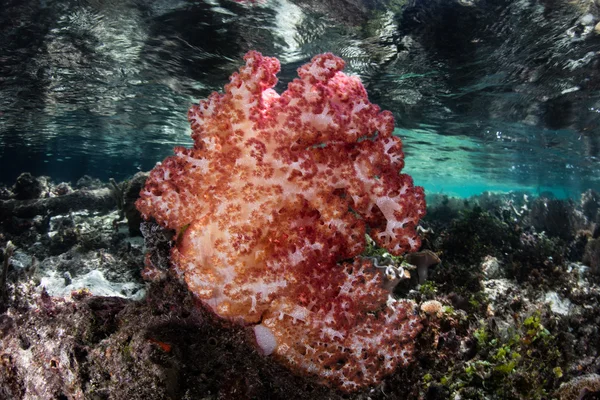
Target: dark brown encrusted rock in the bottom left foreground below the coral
161, 348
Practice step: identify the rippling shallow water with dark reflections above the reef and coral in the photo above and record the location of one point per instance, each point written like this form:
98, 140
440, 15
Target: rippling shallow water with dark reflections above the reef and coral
487, 95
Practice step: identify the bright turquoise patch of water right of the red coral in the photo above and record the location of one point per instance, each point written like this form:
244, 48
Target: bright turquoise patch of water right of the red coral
461, 166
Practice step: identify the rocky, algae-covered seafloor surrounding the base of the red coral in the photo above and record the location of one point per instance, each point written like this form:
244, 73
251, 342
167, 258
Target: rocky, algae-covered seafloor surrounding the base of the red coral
510, 312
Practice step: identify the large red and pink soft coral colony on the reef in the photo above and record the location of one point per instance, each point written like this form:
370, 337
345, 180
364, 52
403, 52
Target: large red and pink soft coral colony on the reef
271, 206
